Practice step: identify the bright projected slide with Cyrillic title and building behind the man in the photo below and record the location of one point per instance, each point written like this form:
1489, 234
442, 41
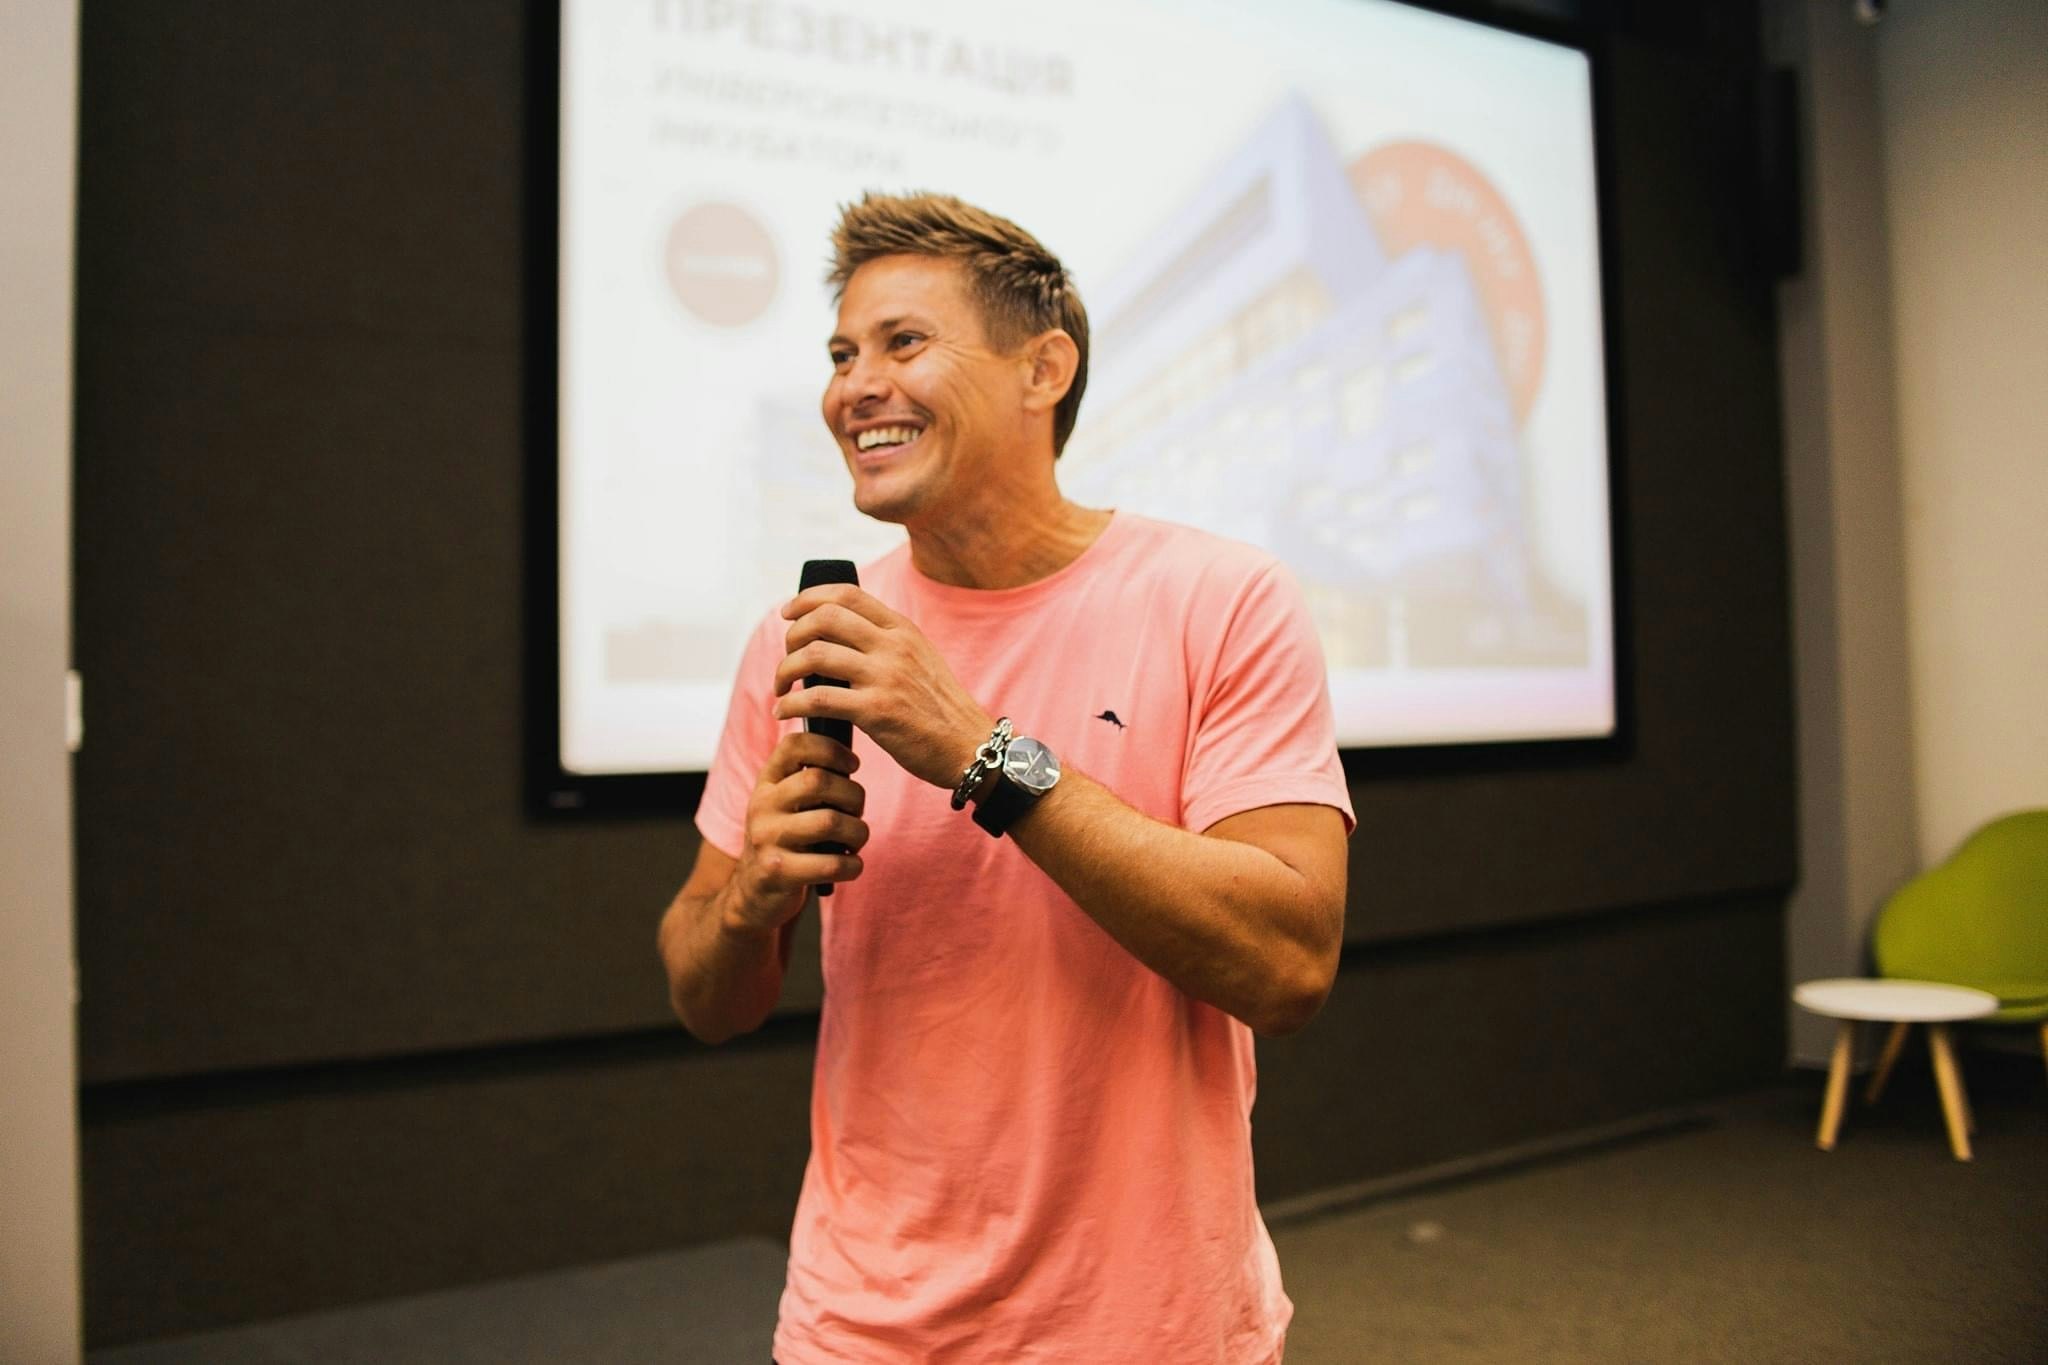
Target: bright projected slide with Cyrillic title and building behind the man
1342, 267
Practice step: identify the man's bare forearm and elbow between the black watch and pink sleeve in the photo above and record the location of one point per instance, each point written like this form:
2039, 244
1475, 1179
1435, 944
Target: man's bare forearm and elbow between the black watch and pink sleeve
1228, 922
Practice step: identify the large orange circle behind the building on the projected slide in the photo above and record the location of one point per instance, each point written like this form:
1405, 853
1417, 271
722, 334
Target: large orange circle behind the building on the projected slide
1426, 195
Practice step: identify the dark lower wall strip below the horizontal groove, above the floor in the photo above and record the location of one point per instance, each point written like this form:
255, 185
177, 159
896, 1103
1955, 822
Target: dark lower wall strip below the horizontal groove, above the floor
245, 1198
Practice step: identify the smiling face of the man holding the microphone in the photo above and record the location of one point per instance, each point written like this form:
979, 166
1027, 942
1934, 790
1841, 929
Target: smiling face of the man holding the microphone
923, 406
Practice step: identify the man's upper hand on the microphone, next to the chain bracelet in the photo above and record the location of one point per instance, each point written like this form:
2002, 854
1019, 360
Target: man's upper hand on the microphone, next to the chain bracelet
900, 691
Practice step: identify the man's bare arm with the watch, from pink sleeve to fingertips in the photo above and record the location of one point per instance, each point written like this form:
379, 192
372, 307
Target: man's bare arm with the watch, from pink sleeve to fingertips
1246, 916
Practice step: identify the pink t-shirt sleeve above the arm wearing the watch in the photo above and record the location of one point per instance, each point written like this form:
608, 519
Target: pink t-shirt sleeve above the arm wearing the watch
1263, 728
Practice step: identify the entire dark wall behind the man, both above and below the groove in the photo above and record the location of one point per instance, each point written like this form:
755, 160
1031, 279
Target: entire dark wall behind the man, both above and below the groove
355, 1026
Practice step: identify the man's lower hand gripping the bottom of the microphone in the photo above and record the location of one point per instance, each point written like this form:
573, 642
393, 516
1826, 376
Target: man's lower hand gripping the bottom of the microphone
804, 797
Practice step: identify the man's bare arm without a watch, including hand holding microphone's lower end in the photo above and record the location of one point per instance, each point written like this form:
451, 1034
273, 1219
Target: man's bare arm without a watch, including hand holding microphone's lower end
726, 936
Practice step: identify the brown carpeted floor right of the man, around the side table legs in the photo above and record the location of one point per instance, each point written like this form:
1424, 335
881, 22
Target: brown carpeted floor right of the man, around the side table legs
1734, 1241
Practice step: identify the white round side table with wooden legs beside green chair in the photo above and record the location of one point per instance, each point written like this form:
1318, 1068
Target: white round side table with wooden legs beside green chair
1900, 1004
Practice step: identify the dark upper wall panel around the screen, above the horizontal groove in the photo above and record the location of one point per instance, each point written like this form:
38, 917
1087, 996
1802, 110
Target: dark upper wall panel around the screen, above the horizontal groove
300, 474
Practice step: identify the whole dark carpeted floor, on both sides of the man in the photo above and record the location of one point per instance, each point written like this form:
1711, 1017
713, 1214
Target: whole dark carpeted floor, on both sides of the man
1727, 1239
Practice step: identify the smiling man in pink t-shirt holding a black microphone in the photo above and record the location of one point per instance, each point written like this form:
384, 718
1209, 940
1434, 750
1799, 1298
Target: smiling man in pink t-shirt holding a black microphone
1031, 1112
